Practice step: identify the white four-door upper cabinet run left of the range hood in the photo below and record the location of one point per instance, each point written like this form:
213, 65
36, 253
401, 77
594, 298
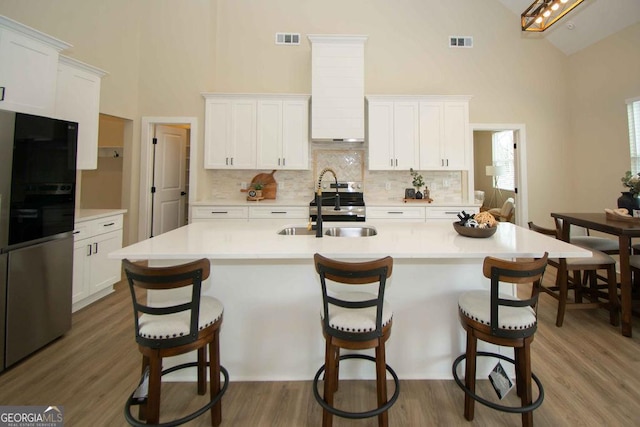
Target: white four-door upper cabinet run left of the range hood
255, 131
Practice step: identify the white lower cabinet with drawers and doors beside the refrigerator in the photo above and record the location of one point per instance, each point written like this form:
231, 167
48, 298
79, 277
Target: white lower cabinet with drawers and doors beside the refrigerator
93, 272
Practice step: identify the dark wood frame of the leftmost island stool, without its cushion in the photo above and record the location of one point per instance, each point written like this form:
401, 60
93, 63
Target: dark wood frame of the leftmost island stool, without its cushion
154, 350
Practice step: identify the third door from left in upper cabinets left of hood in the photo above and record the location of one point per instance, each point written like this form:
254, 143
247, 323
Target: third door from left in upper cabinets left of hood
269, 134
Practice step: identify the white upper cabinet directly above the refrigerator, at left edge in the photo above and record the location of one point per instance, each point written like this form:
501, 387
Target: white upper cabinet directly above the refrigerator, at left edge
28, 68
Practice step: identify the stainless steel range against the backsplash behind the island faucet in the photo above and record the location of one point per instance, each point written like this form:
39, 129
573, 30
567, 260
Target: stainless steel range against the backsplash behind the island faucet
352, 206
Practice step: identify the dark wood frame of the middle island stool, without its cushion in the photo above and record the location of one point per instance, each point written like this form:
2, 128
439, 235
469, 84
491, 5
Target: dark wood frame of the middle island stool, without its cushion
354, 273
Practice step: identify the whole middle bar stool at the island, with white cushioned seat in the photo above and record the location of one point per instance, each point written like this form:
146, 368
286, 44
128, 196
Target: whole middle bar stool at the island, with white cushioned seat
354, 320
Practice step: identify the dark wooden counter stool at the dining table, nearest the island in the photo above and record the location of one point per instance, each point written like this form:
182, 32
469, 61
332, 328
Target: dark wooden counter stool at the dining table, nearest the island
580, 273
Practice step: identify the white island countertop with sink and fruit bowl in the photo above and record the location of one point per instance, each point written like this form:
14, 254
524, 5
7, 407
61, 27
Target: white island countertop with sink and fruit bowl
232, 239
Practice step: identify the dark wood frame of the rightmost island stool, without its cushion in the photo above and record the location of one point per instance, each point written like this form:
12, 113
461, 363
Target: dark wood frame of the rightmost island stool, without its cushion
520, 339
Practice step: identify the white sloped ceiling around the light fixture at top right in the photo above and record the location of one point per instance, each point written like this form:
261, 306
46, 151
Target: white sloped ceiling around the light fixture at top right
590, 22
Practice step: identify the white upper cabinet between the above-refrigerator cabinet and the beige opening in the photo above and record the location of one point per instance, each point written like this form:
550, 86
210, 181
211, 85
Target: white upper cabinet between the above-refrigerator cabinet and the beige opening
78, 100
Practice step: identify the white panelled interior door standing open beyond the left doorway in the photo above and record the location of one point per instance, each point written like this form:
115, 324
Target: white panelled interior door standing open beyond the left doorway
169, 179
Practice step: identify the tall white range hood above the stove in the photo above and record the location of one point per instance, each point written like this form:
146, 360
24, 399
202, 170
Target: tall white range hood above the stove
337, 87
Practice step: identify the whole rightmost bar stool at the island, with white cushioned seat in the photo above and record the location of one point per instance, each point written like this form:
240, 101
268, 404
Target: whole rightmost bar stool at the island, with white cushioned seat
502, 320
